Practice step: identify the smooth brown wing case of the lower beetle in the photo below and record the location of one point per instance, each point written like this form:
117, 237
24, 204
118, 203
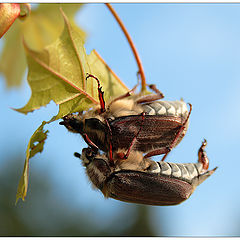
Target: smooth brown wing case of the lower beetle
144, 188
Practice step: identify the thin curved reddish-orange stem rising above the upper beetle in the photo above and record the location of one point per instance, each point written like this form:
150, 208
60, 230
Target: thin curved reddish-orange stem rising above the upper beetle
136, 55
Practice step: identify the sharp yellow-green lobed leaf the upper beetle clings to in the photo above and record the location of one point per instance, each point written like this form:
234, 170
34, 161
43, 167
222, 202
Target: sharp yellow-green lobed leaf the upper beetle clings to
58, 73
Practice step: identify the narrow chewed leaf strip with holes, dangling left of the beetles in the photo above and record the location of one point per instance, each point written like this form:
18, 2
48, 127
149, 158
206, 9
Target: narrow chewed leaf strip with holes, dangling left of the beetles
35, 145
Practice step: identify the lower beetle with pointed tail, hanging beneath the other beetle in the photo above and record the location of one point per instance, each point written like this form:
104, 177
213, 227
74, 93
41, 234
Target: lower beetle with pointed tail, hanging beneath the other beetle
141, 180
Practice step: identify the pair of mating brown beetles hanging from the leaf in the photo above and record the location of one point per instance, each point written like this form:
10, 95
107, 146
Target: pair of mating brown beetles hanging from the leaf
125, 130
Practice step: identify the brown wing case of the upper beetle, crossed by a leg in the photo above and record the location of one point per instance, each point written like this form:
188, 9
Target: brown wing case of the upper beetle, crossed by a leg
156, 132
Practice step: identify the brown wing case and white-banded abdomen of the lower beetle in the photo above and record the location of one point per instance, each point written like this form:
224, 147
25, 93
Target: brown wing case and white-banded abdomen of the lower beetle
164, 184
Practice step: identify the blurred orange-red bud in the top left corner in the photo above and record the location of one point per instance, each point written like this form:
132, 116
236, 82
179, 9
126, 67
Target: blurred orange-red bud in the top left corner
8, 14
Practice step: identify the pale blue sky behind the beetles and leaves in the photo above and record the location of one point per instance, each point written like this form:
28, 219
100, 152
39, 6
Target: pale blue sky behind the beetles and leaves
190, 51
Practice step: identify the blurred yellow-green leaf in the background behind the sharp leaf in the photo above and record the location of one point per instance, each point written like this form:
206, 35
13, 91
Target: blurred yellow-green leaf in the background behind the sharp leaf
39, 29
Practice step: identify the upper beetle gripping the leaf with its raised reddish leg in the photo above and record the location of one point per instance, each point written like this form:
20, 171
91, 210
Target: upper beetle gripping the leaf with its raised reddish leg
132, 123
